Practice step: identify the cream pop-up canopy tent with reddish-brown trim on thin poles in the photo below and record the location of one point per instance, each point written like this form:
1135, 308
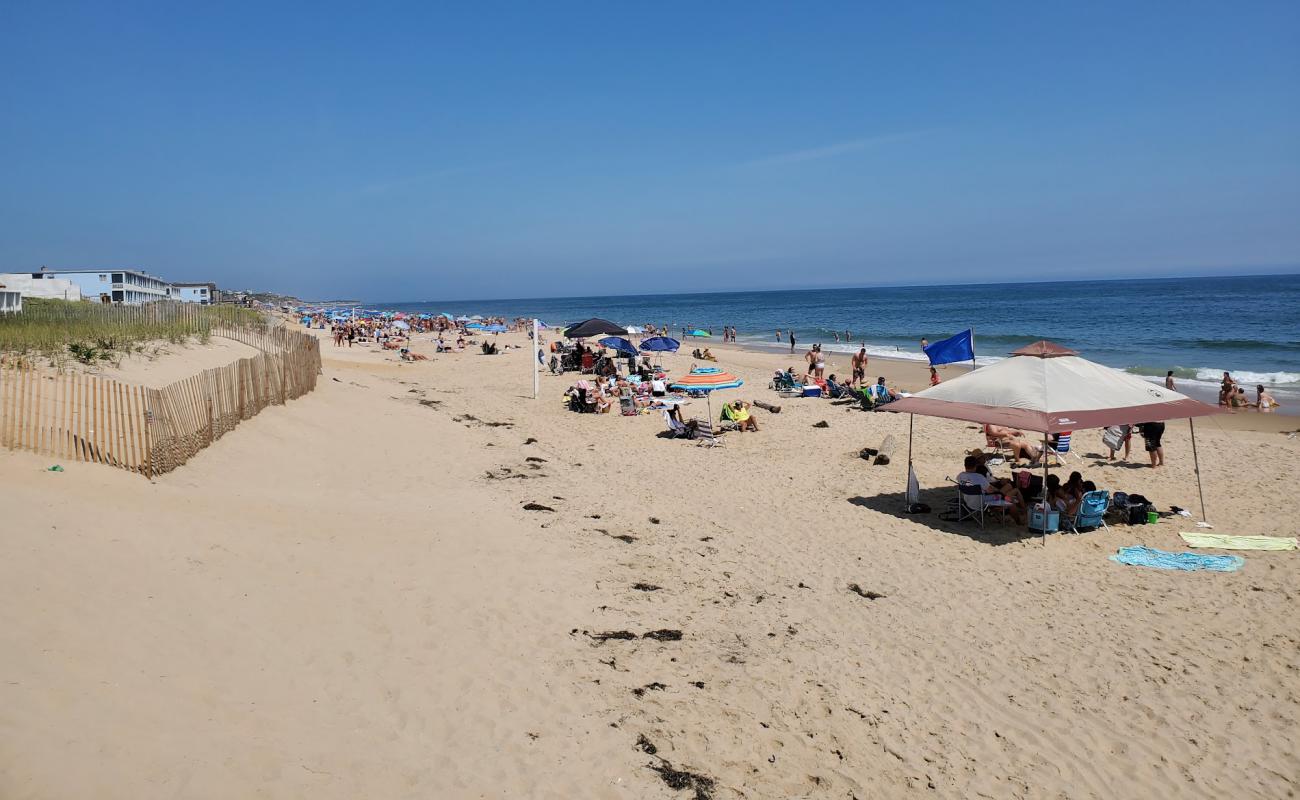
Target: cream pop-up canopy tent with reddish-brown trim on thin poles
1050, 390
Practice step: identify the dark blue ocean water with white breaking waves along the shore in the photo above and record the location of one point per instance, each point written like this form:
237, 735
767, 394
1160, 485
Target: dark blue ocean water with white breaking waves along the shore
1197, 327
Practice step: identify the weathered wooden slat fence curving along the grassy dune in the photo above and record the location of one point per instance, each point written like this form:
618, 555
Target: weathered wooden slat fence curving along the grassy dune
85, 418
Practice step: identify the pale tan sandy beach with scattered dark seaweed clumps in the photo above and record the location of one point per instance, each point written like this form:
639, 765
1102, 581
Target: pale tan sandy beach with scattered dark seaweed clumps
346, 598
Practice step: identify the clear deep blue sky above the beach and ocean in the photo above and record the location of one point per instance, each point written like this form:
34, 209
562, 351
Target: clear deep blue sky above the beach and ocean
389, 152
